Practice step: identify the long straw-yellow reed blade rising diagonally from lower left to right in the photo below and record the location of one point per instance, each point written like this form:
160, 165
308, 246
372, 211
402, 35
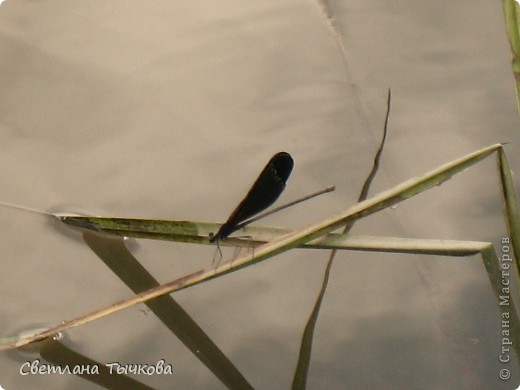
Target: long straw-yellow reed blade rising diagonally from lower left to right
278, 245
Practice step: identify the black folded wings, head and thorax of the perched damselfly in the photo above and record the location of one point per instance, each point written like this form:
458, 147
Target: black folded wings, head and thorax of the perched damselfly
266, 189
